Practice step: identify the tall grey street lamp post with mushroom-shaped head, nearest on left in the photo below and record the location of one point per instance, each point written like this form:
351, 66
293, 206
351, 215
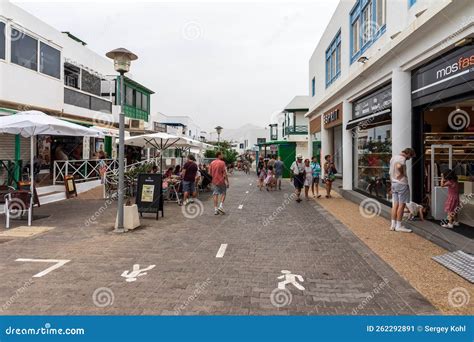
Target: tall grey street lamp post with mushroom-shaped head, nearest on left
122, 59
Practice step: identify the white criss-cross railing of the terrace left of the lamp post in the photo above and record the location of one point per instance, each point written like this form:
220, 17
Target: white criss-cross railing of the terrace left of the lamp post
82, 170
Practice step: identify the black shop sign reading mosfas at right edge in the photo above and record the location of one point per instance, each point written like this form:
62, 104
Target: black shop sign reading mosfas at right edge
447, 76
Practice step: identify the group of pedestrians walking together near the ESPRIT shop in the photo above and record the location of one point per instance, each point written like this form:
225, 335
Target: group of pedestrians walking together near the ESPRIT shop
307, 174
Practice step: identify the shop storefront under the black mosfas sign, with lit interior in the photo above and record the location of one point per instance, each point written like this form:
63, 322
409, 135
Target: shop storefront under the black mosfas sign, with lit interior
443, 129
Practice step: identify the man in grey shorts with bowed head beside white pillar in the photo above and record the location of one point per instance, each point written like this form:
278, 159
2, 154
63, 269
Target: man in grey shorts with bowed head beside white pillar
400, 188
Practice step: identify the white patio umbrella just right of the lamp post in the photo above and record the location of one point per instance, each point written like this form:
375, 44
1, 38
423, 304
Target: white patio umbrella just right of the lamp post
161, 141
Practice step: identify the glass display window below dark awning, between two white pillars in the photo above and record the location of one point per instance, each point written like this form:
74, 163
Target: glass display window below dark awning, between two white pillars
372, 154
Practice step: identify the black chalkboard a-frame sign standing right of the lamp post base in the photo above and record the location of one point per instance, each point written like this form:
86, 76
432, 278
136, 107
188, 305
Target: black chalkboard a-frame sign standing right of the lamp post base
149, 197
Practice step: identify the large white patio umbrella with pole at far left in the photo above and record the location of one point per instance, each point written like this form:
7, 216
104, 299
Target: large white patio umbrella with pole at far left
31, 123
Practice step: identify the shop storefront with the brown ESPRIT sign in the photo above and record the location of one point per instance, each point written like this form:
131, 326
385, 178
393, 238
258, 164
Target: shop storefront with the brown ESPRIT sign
332, 121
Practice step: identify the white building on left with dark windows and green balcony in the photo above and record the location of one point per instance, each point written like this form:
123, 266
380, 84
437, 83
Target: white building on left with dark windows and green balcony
55, 72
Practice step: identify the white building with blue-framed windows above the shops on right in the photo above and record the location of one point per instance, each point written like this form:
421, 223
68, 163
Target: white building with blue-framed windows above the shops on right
391, 75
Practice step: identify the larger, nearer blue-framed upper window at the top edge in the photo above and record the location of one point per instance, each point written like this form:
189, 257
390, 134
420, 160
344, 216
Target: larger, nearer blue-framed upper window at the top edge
357, 15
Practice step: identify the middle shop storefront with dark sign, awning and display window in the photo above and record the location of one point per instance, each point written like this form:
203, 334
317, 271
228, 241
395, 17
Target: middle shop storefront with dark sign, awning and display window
371, 130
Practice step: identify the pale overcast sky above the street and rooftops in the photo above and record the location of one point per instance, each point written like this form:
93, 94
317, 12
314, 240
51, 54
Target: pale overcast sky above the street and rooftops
221, 63
